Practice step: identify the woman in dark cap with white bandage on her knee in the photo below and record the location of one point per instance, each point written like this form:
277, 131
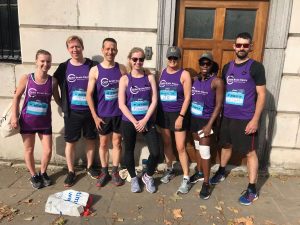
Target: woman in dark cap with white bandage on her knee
206, 104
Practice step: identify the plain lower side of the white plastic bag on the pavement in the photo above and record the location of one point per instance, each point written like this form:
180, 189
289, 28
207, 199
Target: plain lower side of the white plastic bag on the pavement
55, 205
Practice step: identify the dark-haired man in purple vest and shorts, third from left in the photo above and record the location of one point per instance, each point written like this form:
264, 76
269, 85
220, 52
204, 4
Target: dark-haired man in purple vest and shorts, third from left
104, 80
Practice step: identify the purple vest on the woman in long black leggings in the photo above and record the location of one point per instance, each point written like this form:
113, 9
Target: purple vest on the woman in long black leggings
138, 96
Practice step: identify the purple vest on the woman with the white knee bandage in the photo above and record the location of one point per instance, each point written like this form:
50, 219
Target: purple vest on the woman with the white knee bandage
203, 98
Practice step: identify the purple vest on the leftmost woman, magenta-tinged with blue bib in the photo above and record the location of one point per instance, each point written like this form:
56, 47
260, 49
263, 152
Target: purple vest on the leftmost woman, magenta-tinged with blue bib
36, 110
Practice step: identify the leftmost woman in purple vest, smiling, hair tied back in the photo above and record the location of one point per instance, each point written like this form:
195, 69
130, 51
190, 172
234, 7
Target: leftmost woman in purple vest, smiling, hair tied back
36, 115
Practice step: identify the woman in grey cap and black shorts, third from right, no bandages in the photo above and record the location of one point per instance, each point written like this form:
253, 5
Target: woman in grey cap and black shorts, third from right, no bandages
174, 99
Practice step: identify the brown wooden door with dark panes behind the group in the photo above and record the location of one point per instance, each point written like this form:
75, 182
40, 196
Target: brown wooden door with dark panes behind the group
212, 26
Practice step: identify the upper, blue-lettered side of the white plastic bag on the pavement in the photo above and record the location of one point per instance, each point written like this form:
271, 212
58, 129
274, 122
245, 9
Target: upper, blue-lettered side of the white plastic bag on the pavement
77, 197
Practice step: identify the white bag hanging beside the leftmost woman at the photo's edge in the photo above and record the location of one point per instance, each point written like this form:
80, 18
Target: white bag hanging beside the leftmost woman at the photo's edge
5, 127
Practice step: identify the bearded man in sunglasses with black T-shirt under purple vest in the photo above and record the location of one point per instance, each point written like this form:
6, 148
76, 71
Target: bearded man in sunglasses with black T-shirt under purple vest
243, 104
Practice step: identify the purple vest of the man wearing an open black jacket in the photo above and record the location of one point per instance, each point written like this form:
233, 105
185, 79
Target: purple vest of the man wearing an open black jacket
77, 78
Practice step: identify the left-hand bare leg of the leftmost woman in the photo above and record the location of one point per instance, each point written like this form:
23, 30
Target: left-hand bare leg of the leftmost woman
28, 141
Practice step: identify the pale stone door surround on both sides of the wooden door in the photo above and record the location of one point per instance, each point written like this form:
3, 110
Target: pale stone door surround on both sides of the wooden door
274, 55
